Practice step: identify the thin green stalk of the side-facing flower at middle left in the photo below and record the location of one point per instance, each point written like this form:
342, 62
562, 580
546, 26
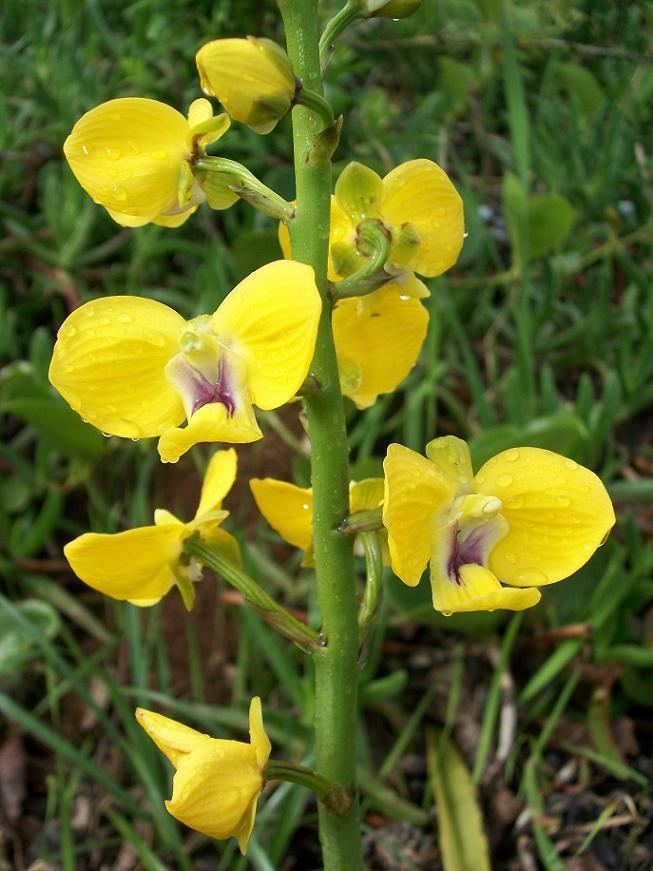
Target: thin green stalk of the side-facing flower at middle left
269, 609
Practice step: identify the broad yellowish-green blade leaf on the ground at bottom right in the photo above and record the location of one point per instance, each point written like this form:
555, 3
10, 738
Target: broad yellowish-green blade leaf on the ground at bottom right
463, 844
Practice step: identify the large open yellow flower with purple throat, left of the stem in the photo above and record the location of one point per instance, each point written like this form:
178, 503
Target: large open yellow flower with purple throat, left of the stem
135, 368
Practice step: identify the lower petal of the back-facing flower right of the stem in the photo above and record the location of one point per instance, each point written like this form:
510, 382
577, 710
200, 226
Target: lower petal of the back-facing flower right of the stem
378, 339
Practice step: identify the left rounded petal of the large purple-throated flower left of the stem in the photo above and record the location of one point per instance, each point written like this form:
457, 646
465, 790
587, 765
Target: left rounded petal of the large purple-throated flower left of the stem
108, 364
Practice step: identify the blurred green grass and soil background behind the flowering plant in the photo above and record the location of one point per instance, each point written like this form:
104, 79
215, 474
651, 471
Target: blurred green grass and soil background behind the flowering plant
542, 335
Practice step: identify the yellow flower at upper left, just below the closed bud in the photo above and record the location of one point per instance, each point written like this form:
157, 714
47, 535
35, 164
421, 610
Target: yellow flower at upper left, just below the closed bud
132, 156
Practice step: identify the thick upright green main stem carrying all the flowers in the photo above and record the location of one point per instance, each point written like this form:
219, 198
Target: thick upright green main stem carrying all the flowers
336, 670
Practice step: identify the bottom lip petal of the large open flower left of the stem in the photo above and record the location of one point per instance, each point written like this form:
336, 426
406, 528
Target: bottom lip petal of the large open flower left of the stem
211, 423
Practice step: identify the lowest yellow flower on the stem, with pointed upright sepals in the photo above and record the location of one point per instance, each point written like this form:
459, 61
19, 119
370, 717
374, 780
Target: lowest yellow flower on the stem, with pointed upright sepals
217, 782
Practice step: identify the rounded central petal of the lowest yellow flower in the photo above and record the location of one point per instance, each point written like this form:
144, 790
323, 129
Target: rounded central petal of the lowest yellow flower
214, 787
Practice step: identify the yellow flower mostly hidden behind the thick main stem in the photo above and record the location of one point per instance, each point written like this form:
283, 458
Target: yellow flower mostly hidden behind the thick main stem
289, 509
